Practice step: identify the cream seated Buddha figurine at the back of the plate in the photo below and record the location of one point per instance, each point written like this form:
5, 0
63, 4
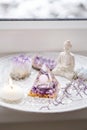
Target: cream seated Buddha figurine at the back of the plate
65, 62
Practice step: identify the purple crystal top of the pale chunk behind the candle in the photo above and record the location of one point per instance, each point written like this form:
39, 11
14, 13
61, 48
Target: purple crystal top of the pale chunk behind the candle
21, 59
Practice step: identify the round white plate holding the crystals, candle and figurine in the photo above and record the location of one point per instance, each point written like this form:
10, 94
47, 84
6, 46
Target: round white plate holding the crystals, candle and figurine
41, 105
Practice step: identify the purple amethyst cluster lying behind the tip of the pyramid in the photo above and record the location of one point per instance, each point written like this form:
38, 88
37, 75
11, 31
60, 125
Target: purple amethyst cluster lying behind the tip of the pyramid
39, 61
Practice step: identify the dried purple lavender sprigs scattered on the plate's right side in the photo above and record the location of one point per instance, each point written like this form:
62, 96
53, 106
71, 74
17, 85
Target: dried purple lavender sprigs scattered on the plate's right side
75, 84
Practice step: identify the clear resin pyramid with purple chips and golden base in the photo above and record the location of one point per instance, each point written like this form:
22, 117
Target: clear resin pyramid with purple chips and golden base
45, 84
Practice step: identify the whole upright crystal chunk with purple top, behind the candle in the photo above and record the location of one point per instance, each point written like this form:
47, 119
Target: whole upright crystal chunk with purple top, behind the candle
21, 67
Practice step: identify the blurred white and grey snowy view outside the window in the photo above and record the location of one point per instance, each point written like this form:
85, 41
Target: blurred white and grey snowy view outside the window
43, 9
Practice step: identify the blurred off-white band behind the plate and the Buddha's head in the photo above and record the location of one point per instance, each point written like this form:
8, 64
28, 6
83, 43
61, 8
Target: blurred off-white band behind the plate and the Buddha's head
41, 39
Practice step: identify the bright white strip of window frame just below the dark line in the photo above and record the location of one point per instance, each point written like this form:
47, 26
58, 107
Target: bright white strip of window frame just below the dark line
43, 24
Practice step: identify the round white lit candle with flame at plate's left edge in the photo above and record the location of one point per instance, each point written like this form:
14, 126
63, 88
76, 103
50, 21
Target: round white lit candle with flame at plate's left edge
11, 92
